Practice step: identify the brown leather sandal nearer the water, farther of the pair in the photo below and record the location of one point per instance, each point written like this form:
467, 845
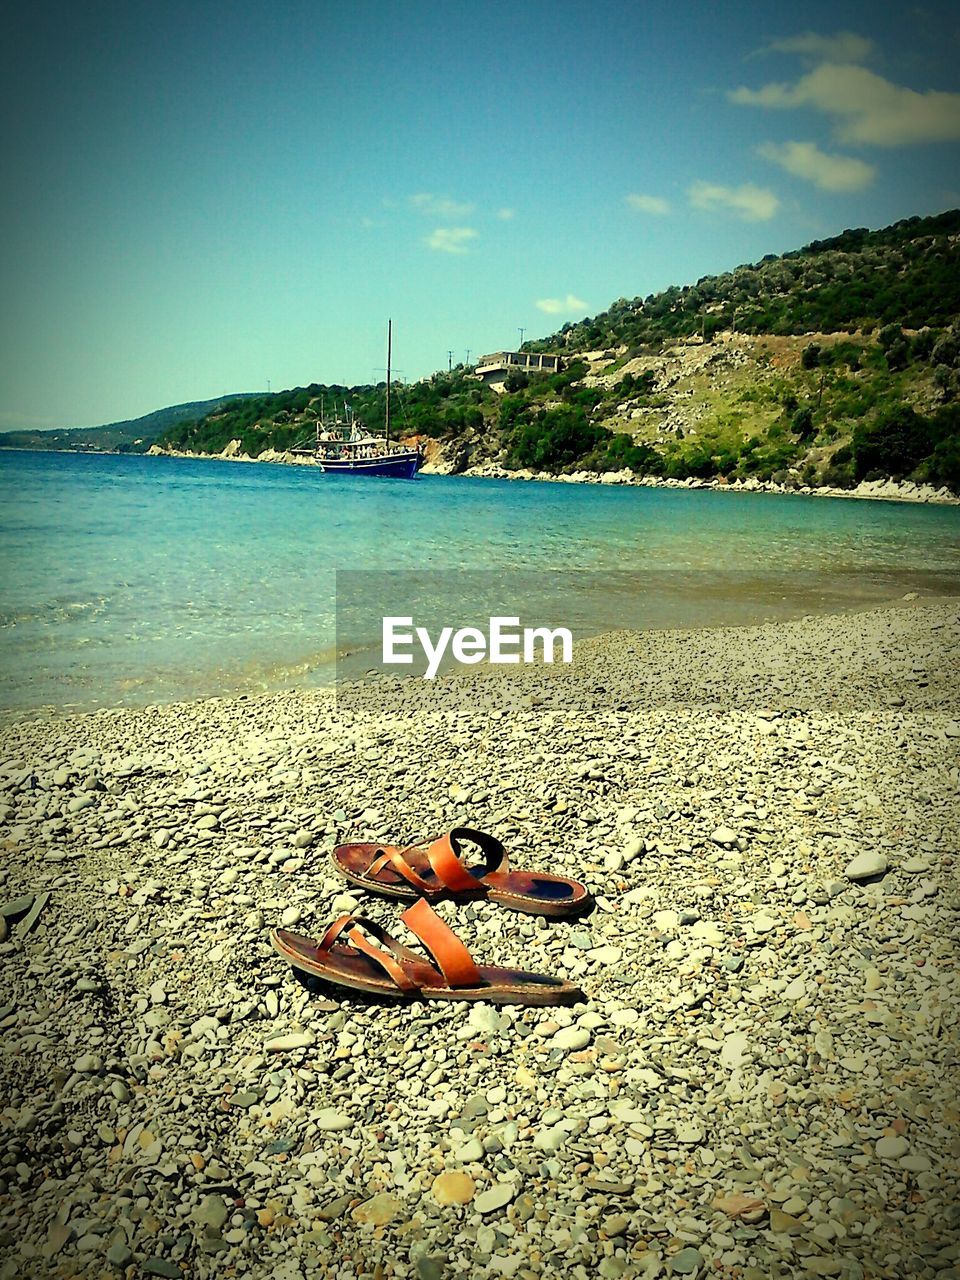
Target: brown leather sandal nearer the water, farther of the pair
437, 872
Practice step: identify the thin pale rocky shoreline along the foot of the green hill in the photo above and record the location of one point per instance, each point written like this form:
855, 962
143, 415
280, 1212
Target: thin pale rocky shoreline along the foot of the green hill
870, 491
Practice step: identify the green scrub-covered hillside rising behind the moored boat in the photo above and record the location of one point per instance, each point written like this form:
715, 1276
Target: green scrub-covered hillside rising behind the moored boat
829, 365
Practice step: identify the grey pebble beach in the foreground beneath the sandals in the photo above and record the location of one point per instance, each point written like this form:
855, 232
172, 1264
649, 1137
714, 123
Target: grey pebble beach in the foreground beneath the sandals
761, 1084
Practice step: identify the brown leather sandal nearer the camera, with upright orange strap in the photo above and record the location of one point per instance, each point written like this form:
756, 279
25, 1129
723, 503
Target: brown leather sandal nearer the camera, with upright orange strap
348, 958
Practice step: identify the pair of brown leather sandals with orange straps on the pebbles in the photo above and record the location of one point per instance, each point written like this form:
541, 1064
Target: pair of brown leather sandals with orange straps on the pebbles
432, 874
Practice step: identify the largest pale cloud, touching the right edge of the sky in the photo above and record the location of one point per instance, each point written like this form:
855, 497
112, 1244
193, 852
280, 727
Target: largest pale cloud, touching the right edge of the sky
865, 107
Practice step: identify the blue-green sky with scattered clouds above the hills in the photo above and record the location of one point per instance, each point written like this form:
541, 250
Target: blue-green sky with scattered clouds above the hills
209, 198
